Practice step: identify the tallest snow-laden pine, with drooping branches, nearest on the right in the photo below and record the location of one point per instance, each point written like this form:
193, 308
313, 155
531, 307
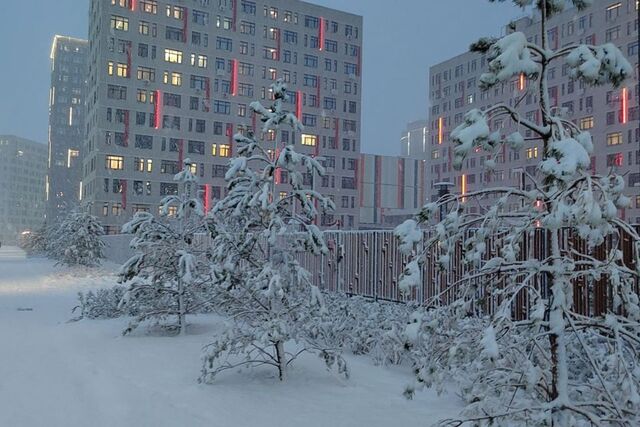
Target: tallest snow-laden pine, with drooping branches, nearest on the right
556, 366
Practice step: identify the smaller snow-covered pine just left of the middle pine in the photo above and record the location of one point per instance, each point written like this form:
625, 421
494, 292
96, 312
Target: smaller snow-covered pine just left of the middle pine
167, 276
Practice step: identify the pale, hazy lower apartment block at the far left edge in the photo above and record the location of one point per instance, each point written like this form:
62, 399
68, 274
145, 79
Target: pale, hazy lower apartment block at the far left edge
23, 166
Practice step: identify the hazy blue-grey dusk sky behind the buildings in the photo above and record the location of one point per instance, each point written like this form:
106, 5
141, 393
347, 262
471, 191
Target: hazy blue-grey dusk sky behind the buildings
402, 39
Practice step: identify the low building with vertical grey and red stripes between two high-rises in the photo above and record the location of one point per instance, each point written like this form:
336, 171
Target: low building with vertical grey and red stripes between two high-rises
392, 189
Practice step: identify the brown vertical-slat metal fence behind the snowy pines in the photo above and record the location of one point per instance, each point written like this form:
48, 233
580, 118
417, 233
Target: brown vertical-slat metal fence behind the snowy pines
369, 264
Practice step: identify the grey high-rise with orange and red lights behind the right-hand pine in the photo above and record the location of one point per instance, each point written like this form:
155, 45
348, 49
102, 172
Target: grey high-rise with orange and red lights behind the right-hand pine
610, 114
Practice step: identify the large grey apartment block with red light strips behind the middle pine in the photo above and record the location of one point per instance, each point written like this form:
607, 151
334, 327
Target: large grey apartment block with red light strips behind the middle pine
171, 81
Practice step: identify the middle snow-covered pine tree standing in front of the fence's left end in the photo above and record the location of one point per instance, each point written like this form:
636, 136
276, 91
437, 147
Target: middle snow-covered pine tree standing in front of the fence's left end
261, 286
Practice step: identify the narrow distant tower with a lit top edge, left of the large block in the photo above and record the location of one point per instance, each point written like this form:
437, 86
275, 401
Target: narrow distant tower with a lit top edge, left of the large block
67, 109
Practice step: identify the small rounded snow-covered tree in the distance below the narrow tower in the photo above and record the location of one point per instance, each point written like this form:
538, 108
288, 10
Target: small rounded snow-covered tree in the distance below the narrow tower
76, 240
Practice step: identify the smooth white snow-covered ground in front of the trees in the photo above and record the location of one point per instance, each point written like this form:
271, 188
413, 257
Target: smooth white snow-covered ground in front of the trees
55, 373
